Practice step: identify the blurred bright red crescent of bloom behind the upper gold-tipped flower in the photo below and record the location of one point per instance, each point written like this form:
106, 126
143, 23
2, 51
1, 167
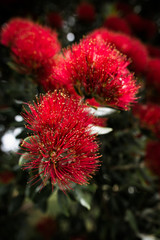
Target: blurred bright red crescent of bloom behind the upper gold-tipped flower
132, 47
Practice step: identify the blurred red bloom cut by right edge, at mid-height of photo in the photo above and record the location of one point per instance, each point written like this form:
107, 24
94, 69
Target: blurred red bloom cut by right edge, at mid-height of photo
149, 116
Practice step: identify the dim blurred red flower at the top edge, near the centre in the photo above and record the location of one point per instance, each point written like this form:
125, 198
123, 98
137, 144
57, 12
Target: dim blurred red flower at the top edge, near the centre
86, 12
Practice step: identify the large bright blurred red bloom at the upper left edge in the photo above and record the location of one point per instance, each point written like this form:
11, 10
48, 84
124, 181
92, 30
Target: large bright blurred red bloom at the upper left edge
32, 45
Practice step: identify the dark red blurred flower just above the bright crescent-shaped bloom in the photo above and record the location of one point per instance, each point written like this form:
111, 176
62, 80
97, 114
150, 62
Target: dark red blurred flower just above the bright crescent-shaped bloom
117, 24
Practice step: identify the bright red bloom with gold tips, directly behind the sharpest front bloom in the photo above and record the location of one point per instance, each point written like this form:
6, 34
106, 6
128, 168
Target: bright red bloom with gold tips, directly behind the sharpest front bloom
99, 71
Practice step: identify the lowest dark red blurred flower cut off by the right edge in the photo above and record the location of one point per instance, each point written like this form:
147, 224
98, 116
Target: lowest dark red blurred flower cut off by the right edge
152, 158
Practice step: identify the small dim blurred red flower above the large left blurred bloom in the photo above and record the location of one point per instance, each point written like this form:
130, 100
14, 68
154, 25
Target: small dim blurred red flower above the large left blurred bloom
54, 19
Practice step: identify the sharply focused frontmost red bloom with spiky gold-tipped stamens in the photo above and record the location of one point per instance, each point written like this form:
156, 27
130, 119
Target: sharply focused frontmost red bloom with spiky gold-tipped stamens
62, 148
